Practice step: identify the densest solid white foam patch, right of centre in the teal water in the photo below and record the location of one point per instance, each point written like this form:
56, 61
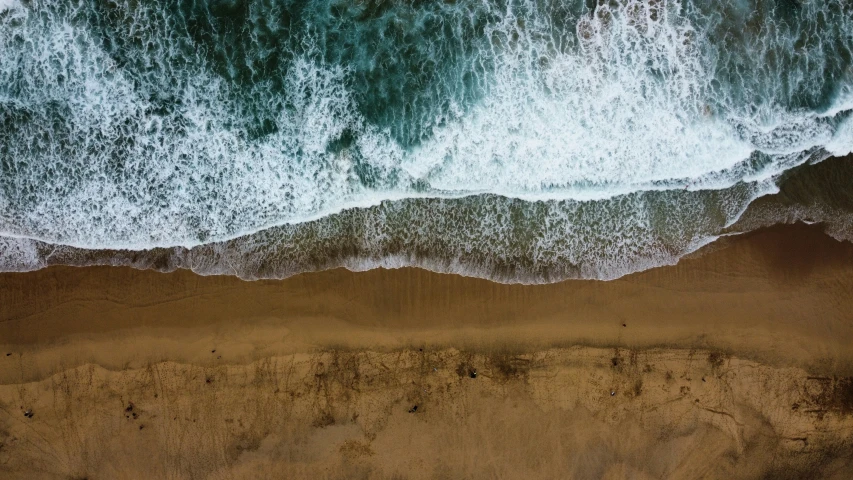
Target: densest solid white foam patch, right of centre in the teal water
594, 119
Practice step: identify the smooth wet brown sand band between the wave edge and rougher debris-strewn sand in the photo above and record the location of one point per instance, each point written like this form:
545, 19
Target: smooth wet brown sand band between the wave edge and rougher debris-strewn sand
778, 295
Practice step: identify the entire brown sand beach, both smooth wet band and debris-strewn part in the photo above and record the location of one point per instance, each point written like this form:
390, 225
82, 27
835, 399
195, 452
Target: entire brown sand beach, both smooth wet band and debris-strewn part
732, 364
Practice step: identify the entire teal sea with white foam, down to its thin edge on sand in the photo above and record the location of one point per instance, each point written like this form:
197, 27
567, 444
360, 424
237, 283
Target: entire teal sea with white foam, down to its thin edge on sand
516, 140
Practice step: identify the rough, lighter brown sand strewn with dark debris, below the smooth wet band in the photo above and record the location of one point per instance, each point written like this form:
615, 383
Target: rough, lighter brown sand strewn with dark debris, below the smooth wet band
433, 414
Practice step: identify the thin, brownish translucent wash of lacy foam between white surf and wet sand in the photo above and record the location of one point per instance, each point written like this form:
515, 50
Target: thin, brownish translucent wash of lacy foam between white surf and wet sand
499, 238
